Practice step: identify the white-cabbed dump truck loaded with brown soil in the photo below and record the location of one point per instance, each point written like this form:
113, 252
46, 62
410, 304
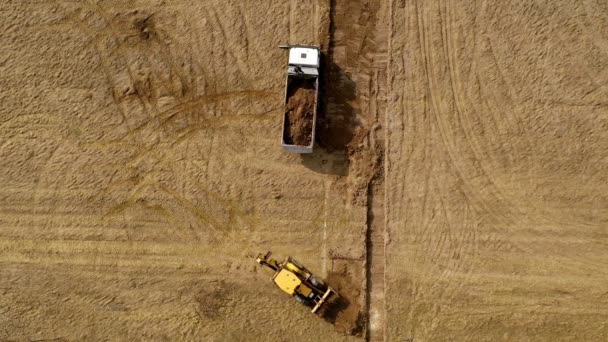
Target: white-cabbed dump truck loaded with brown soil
301, 96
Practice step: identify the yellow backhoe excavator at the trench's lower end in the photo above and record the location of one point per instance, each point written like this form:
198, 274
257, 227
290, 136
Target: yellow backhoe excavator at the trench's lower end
295, 280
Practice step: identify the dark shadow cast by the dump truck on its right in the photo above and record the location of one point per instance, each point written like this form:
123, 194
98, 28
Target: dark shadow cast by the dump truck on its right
336, 121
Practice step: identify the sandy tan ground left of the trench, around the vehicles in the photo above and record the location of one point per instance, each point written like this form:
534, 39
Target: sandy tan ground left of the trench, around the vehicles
142, 173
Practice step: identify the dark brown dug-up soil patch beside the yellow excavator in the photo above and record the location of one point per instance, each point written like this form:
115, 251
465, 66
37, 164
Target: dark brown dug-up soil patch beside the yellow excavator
344, 312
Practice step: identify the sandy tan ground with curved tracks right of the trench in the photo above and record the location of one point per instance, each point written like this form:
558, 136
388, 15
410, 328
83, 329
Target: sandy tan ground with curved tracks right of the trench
497, 171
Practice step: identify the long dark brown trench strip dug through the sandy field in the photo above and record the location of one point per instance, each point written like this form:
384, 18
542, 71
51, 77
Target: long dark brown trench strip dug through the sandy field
357, 62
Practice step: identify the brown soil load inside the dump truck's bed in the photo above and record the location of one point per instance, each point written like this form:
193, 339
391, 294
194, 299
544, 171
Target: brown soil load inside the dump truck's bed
299, 111
